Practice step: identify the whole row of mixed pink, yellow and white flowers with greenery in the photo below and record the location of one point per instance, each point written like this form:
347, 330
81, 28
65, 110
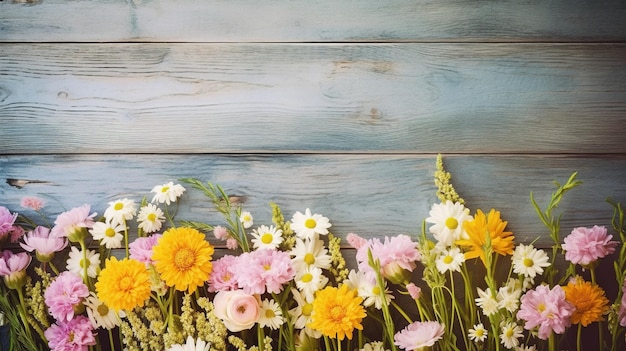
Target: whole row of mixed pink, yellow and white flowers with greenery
463, 283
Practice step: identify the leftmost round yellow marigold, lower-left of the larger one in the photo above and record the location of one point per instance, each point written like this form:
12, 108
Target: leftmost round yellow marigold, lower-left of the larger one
123, 285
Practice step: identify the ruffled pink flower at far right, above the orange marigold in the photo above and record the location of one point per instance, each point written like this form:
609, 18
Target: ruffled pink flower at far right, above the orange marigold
586, 245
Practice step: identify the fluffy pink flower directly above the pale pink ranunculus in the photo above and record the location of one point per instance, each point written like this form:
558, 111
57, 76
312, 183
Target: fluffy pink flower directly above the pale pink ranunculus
263, 271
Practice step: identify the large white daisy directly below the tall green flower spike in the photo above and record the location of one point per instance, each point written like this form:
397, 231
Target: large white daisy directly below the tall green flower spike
447, 219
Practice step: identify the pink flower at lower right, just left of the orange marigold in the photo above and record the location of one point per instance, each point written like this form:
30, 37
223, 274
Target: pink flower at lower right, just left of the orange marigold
547, 309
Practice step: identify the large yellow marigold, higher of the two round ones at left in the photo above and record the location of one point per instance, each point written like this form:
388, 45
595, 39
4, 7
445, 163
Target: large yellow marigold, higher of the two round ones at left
182, 257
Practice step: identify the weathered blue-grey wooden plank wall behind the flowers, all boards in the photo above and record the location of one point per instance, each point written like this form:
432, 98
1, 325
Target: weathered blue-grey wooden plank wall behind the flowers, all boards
338, 106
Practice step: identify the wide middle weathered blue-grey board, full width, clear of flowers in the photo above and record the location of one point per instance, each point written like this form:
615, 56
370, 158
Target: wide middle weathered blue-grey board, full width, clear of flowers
416, 98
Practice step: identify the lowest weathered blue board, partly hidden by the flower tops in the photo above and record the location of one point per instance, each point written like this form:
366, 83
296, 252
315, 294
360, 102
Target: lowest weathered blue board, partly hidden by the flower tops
373, 195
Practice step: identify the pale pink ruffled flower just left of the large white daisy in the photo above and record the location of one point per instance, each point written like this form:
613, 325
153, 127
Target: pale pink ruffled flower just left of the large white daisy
398, 255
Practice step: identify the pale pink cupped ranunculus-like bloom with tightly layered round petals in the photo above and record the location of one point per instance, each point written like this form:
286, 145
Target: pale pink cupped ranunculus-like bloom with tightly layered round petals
238, 310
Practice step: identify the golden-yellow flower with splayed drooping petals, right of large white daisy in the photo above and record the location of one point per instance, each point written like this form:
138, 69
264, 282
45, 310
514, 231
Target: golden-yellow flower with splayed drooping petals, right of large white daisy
478, 229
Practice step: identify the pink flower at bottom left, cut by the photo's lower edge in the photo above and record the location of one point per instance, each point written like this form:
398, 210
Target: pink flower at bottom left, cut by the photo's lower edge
73, 335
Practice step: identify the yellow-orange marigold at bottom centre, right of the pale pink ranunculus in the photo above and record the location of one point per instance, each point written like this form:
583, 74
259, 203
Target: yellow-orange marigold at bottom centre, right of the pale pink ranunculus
337, 312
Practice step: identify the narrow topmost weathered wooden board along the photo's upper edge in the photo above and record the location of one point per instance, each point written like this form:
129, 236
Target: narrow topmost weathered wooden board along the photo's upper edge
311, 21
